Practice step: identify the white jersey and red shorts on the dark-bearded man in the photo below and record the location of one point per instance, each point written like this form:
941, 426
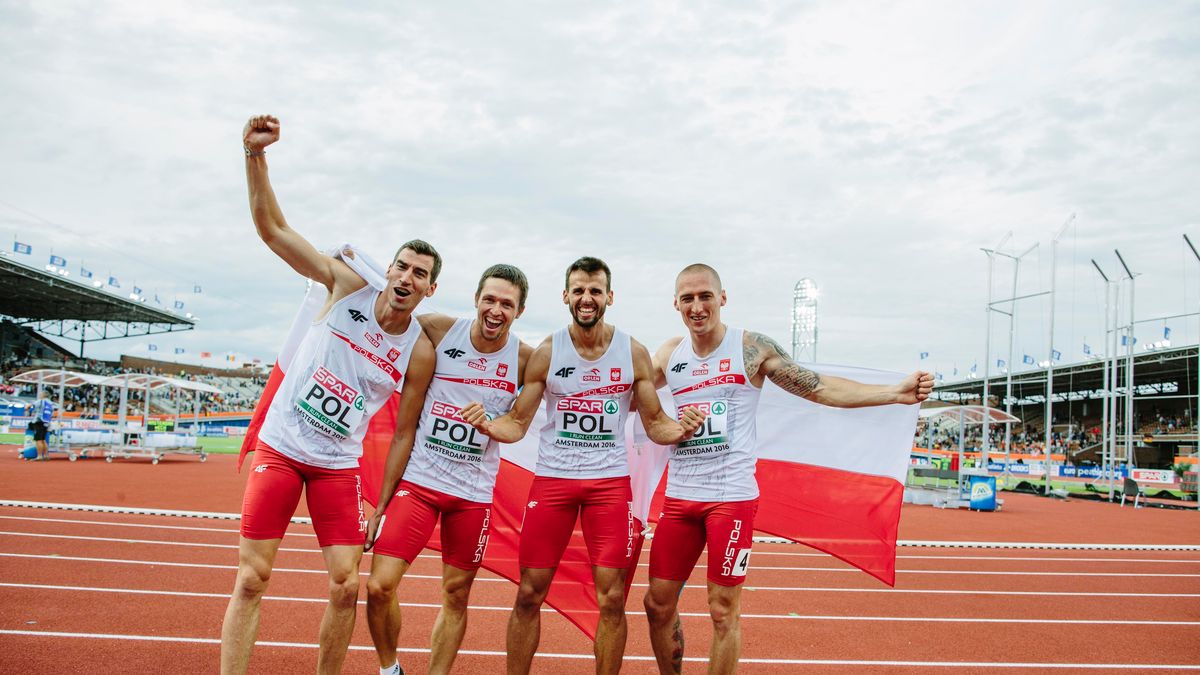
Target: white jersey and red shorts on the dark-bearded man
583, 468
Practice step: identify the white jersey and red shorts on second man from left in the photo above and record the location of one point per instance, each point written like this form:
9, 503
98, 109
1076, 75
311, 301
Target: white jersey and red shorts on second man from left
453, 469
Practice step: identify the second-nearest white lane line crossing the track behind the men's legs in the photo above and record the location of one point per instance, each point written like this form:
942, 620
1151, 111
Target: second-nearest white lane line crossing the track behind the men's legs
688, 614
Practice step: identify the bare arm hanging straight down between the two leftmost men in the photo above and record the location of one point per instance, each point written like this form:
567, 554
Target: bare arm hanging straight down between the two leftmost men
412, 401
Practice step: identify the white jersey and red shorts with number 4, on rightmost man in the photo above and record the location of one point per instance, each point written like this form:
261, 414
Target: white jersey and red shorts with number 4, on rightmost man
712, 494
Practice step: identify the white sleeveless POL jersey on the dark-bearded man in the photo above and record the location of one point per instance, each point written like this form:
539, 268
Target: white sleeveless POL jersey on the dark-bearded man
586, 409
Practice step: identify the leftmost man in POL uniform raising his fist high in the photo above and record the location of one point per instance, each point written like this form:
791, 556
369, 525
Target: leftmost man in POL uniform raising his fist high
363, 347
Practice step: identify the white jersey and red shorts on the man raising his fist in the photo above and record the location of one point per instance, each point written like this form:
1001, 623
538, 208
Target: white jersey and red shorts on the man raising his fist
344, 372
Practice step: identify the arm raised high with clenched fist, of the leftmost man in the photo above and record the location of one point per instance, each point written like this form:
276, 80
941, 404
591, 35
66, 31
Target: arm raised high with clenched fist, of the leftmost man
273, 229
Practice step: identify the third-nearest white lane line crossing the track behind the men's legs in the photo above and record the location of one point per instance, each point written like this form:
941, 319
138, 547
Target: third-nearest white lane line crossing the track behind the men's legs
693, 587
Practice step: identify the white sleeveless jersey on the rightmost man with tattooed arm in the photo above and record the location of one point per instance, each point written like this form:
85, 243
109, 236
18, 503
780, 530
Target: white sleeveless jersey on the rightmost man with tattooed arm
718, 463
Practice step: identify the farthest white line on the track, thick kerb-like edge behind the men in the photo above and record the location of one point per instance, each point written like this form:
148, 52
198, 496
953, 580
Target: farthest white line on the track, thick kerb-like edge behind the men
914, 543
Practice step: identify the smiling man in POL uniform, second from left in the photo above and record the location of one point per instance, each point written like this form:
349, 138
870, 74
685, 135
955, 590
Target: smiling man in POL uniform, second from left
452, 470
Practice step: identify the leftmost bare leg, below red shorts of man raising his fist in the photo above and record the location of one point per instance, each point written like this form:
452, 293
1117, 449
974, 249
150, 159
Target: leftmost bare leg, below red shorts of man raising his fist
256, 558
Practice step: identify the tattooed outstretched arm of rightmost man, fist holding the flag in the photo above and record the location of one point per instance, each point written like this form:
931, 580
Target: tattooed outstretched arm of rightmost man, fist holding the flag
766, 360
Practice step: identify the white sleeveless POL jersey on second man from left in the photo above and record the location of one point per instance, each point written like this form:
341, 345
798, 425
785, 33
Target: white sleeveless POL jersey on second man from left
451, 456
